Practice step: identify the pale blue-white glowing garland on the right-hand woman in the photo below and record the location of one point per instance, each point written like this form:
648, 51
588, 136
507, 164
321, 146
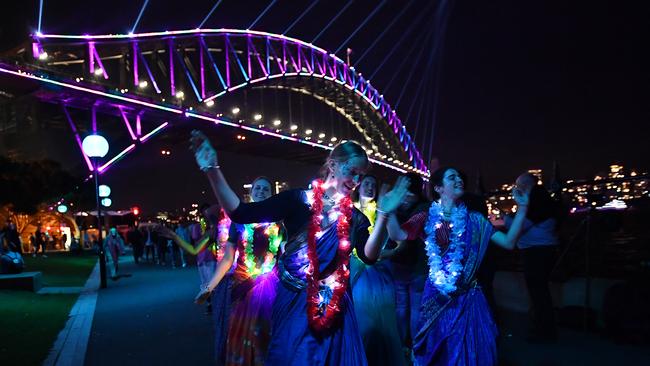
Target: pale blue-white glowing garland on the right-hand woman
445, 270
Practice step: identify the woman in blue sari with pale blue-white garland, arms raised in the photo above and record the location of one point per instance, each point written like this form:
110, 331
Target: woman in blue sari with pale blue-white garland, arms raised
456, 325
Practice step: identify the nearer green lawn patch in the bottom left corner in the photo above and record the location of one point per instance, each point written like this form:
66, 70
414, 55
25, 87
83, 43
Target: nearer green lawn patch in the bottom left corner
29, 324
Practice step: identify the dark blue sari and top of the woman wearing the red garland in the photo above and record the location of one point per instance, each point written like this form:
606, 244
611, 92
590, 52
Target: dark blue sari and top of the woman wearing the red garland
293, 342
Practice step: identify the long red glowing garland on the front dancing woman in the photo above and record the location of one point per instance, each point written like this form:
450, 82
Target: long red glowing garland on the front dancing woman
320, 313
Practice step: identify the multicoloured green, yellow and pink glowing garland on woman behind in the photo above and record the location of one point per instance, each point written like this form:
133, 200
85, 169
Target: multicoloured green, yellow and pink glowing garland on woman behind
272, 233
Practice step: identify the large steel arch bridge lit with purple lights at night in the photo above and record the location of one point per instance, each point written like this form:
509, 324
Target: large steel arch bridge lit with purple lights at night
287, 97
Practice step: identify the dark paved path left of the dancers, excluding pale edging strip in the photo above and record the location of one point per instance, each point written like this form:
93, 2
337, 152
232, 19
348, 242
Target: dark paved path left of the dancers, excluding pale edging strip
150, 319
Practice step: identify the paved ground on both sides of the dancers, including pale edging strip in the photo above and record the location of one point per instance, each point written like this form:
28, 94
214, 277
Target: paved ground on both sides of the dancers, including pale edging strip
149, 319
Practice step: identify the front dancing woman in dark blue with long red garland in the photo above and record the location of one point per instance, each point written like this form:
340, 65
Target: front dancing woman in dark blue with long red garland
313, 320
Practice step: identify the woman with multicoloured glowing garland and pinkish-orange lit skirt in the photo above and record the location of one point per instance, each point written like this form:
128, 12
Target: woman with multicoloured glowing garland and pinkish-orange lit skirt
253, 283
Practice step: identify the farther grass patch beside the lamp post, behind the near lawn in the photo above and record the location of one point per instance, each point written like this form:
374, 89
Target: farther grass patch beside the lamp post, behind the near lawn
62, 269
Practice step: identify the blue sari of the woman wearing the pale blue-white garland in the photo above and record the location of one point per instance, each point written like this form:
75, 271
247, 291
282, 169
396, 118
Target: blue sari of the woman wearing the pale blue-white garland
459, 329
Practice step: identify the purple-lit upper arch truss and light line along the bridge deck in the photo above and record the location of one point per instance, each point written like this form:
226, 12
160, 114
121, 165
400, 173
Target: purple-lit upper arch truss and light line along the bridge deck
267, 56
